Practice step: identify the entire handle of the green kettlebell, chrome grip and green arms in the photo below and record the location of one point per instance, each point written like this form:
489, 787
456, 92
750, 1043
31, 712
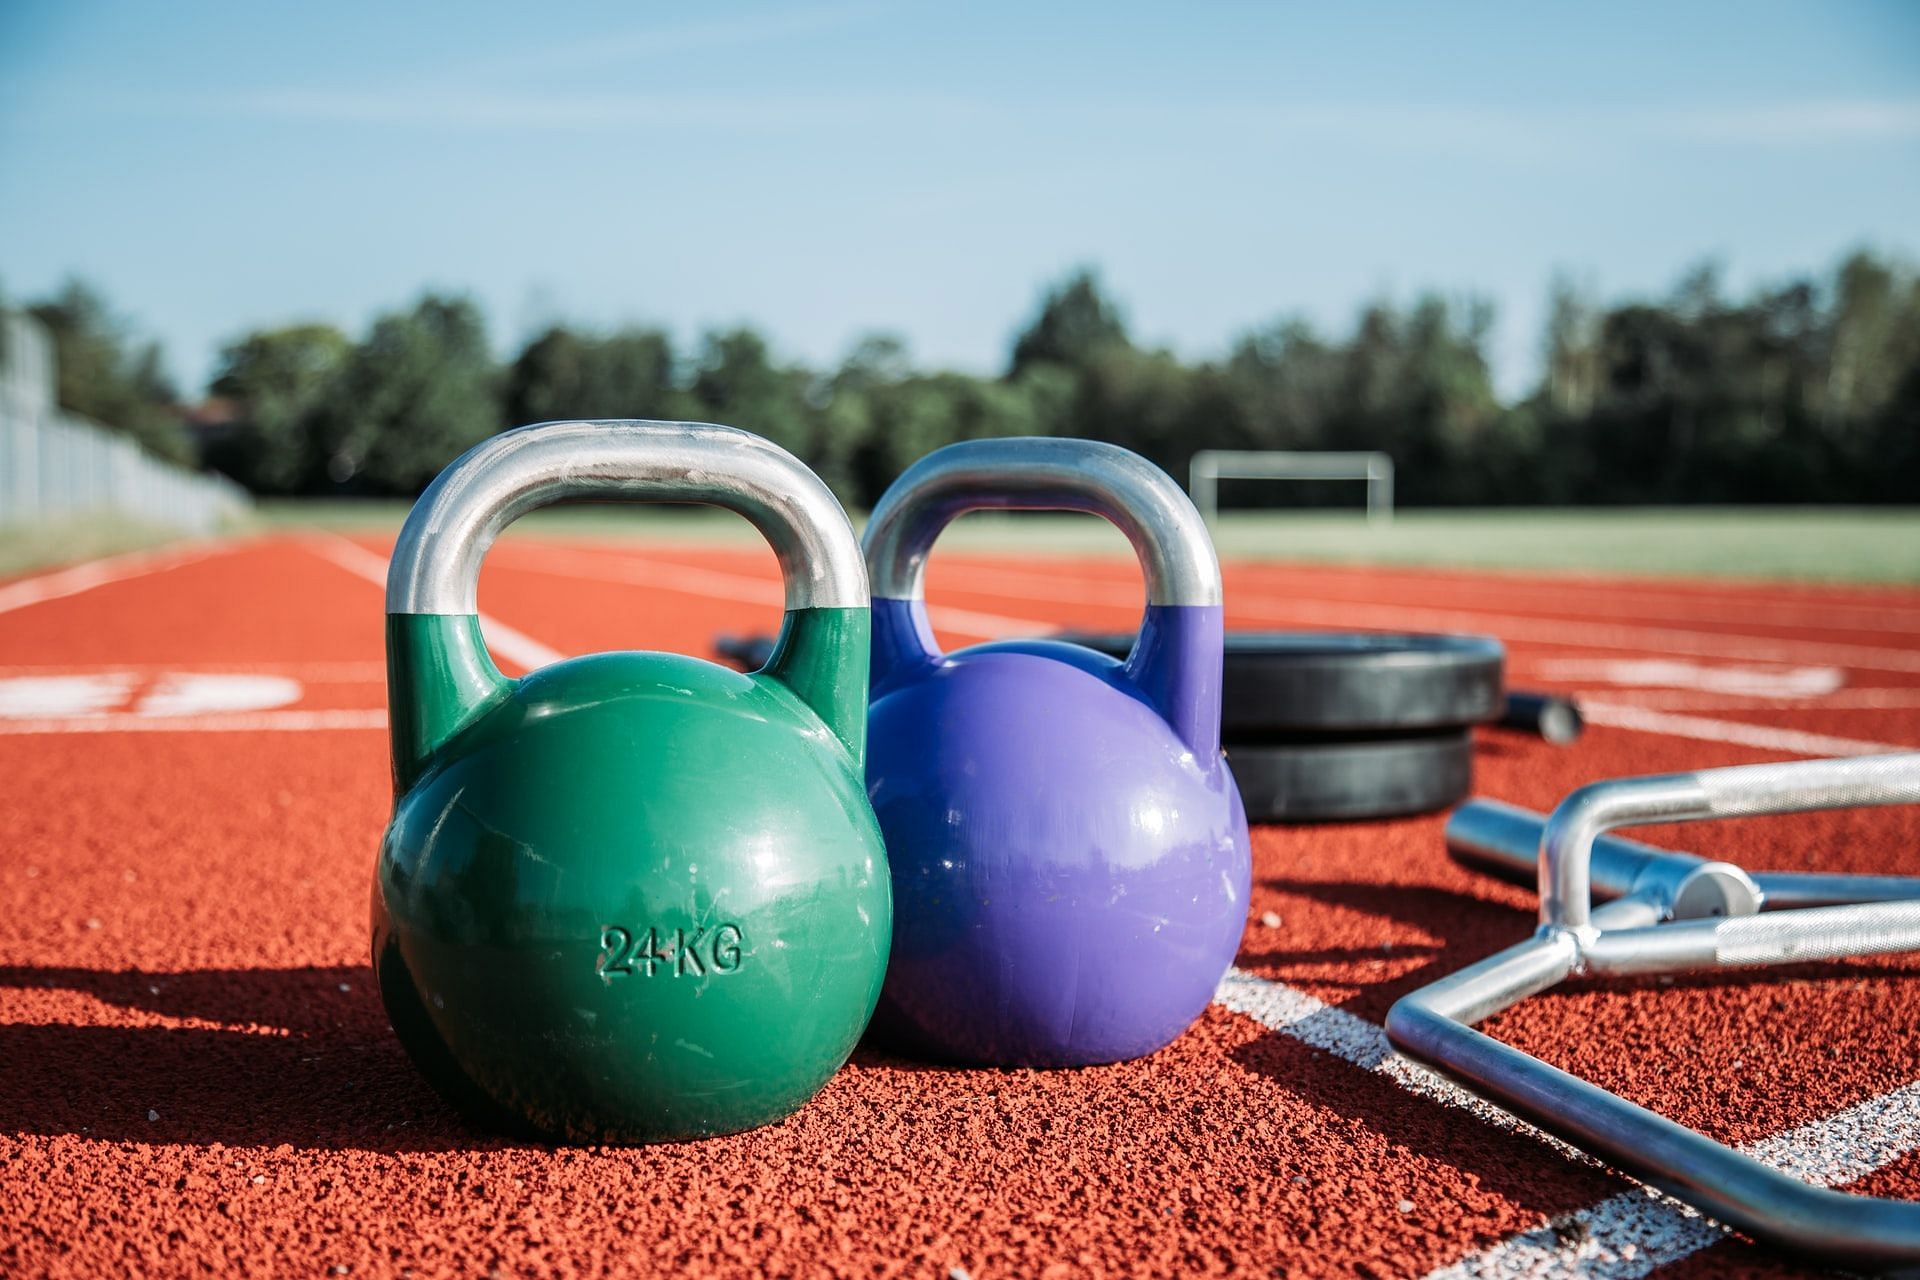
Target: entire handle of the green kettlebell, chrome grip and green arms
441, 676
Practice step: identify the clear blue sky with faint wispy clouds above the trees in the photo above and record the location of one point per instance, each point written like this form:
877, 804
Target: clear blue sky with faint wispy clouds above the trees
828, 170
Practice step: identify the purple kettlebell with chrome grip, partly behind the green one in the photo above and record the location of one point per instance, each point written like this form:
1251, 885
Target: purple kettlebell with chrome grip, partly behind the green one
1068, 849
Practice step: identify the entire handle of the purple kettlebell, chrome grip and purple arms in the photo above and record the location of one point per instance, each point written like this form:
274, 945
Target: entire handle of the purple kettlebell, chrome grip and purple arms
1176, 661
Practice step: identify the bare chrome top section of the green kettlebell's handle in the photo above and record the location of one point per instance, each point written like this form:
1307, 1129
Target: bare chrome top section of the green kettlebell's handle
437, 561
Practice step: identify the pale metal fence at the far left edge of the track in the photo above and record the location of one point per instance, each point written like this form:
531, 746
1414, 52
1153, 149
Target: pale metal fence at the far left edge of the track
55, 463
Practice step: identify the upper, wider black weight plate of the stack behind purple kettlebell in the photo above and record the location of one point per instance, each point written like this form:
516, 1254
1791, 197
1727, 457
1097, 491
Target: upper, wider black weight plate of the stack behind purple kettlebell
1347, 682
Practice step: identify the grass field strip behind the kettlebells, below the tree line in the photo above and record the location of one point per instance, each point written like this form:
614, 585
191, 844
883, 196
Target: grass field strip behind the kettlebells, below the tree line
1810, 544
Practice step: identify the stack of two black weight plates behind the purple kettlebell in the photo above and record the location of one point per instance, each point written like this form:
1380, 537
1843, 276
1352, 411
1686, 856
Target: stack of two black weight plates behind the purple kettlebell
1328, 726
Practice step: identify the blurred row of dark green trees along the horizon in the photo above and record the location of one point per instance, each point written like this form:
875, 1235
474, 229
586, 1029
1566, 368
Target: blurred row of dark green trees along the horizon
1804, 392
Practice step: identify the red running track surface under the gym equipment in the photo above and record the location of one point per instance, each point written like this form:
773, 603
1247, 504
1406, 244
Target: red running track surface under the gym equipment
195, 1072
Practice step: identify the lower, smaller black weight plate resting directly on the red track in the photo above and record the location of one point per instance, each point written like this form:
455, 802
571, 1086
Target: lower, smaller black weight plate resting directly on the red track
1362, 778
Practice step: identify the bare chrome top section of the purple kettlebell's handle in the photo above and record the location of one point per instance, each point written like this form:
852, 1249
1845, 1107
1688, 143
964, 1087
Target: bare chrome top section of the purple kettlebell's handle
1036, 473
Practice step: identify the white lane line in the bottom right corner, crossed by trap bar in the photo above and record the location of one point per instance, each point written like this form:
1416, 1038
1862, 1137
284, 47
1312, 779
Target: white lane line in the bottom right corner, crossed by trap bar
1639, 1231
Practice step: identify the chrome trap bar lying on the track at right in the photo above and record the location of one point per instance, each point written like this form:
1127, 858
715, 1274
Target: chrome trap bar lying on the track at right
1673, 914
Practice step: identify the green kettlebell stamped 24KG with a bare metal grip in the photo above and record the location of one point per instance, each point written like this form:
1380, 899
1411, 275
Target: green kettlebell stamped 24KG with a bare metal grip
631, 897
